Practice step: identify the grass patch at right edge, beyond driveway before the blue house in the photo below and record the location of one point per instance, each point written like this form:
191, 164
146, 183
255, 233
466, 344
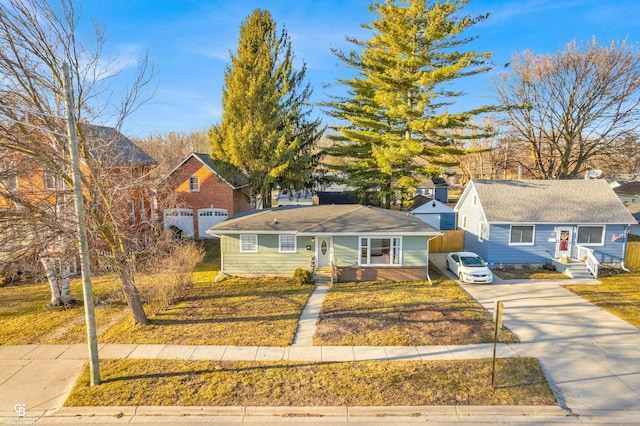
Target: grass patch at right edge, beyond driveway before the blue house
618, 294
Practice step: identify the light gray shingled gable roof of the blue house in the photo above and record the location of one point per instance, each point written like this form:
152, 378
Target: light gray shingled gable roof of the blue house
549, 201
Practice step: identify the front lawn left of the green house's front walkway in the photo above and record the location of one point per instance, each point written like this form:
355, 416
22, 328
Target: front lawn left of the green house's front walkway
232, 312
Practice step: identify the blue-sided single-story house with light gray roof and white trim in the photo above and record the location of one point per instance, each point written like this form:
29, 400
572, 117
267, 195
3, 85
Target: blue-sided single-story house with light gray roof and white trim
537, 221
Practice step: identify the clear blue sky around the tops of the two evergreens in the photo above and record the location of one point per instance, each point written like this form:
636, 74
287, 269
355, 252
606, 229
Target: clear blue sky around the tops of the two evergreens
189, 43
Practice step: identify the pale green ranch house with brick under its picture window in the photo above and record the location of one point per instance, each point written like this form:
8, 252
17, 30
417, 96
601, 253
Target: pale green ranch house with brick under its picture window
350, 242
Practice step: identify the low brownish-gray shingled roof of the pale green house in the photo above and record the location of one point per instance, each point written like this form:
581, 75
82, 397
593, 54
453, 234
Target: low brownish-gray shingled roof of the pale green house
327, 219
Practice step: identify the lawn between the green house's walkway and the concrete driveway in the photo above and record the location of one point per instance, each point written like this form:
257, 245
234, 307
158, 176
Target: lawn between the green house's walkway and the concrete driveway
404, 314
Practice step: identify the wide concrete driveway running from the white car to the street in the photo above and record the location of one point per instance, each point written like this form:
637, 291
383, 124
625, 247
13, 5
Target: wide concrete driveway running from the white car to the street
590, 357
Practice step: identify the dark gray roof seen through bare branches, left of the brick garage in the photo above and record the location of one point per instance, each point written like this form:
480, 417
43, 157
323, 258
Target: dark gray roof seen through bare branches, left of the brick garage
112, 146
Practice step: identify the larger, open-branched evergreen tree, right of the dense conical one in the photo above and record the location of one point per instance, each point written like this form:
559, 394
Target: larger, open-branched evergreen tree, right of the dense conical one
394, 121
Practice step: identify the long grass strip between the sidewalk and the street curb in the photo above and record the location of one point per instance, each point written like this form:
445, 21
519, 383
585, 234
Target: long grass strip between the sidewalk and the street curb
519, 381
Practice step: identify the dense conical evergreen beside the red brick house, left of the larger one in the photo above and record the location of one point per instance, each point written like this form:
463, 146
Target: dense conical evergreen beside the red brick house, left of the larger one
266, 132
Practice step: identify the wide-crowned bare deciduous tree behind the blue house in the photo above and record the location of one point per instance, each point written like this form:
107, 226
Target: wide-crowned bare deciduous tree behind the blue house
573, 106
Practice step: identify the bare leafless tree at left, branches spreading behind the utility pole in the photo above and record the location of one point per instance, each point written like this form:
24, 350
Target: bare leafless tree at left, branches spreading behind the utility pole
36, 38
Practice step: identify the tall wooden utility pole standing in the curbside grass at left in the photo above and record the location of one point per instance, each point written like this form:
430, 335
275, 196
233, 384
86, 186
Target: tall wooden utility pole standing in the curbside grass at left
83, 244
